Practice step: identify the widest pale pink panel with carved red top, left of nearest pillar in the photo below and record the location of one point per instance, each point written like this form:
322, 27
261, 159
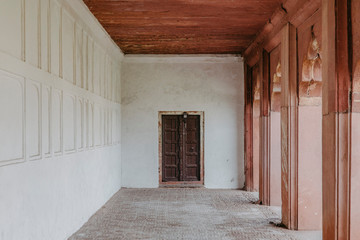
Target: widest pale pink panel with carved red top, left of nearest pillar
309, 165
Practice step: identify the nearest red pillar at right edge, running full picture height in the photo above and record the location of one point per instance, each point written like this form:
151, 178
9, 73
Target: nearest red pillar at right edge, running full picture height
341, 132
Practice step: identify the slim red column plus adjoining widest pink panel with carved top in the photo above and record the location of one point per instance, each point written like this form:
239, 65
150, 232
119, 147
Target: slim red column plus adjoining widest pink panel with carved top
301, 125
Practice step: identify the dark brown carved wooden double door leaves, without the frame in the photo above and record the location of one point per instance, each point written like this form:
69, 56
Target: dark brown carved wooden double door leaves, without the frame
180, 148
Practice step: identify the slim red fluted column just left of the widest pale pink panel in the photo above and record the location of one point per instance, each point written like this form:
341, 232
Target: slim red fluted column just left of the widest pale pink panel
289, 122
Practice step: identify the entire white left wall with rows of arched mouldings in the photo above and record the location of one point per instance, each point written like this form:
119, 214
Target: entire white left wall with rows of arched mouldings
60, 154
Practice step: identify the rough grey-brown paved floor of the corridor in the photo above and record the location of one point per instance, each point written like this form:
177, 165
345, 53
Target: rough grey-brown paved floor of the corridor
186, 214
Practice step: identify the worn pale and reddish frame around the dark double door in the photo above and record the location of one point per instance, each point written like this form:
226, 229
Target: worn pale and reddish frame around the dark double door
183, 183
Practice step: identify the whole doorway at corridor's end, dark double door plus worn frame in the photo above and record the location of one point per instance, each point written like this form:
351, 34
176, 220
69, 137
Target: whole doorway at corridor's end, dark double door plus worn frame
181, 148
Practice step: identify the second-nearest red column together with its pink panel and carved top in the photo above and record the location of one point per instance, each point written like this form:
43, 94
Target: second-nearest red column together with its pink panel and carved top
270, 149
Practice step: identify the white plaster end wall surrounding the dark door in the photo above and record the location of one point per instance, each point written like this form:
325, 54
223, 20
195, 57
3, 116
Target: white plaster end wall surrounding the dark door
213, 84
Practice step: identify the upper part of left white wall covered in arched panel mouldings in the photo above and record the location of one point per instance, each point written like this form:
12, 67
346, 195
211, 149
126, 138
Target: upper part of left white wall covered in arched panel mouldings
57, 82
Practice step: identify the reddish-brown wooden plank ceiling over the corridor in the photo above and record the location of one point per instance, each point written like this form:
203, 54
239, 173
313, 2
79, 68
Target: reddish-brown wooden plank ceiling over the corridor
183, 26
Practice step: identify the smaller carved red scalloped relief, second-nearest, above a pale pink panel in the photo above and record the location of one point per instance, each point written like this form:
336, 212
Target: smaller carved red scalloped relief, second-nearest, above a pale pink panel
275, 79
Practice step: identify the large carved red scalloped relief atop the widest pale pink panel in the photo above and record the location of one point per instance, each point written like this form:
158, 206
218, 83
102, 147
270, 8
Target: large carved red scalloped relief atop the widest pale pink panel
309, 61
